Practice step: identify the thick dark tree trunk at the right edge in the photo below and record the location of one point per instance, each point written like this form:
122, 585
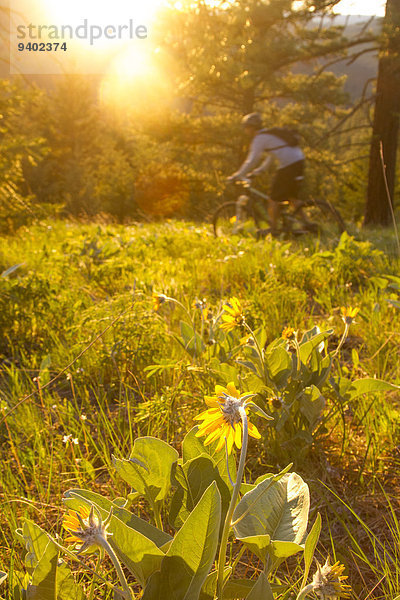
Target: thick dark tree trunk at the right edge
386, 123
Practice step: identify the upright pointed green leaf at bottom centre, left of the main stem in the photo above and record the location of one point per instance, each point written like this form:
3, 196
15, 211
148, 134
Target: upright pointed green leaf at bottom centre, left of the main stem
191, 555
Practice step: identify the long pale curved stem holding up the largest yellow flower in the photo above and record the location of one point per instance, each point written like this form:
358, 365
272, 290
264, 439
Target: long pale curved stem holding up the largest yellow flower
229, 514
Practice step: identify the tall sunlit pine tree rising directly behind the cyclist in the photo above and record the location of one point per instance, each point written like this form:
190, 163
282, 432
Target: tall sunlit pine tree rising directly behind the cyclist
232, 58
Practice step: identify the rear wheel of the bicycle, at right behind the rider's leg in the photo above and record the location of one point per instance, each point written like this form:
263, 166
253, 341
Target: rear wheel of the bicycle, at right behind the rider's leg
318, 216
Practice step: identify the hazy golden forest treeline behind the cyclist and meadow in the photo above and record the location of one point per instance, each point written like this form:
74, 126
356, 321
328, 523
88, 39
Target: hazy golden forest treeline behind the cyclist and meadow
69, 150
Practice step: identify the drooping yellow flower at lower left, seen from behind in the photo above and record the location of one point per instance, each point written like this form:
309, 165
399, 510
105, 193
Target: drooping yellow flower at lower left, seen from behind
85, 528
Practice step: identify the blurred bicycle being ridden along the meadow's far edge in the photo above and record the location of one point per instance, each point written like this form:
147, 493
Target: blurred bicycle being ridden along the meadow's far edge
248, 215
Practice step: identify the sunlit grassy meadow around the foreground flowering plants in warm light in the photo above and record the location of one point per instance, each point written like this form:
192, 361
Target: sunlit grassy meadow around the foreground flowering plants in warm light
125, 320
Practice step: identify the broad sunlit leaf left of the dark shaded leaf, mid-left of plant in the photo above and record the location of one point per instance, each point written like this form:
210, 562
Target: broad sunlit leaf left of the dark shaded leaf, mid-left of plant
149, 468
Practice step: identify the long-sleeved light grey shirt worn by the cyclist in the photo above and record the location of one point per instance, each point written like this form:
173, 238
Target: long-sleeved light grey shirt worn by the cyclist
265, 142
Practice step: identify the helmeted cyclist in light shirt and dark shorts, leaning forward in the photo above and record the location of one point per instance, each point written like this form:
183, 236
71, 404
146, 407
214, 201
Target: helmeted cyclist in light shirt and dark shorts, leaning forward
289, 156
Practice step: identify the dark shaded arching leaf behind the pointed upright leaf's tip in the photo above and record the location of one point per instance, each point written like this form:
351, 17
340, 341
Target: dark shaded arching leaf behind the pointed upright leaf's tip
193, 478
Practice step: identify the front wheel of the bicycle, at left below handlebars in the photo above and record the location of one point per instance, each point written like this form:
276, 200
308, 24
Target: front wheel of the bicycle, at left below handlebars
233, 219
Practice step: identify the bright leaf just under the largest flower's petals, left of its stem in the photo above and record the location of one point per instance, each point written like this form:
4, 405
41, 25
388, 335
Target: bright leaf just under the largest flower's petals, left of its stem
194, 446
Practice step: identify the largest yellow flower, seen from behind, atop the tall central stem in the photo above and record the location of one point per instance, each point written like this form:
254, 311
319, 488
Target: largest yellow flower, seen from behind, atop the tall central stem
223, 420
